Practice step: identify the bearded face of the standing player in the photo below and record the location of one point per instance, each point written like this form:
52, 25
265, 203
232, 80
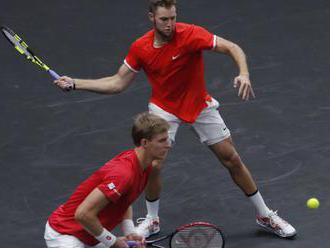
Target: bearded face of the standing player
164, 20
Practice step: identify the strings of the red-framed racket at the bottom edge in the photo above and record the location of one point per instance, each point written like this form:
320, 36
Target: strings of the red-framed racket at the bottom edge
197, 237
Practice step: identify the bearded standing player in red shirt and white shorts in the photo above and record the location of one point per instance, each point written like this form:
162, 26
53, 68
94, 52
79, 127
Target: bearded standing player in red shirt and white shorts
171, 56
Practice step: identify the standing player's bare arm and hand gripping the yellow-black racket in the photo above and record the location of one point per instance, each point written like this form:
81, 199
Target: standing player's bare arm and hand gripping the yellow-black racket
107, 85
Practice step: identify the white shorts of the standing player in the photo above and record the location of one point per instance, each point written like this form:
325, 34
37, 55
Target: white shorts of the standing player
209, 125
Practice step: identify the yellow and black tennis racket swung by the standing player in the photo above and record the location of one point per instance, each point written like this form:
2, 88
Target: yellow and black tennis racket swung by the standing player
24, 49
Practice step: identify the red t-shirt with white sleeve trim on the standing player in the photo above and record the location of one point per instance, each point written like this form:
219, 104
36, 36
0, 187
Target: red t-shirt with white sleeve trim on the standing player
175, 70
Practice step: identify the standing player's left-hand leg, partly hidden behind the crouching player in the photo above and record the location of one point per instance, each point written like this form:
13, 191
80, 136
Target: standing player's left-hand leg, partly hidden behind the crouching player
150, 224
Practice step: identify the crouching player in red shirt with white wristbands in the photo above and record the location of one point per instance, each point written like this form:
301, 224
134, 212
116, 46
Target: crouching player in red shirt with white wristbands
103, 201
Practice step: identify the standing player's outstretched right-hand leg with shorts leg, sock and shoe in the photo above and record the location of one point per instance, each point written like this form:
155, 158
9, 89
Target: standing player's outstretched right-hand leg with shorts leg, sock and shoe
213, 132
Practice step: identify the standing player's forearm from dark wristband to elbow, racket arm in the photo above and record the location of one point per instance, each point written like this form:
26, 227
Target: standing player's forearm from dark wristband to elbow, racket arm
107, 85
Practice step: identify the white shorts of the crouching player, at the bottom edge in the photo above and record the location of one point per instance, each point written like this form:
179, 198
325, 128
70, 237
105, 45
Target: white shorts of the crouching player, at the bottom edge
57, 240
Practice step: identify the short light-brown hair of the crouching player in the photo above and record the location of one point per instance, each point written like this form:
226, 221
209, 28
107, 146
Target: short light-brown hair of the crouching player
146, 126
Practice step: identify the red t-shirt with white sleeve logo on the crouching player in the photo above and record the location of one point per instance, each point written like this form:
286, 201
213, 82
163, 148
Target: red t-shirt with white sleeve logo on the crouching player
121, 180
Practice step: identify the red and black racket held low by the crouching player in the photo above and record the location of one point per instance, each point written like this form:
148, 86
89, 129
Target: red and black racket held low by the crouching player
193, 235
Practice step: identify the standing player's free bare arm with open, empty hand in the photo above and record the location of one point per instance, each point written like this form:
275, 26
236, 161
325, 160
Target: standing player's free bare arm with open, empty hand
242, 81
